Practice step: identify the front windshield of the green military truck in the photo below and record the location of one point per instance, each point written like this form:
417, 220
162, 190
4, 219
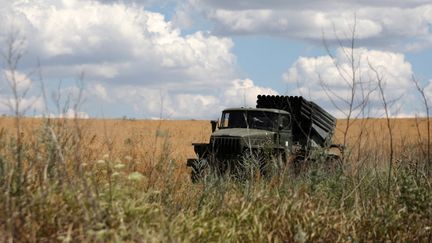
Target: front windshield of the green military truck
249, 119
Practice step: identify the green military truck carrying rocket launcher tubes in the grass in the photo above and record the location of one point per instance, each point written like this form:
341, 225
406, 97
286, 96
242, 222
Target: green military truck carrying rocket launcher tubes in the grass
280, 129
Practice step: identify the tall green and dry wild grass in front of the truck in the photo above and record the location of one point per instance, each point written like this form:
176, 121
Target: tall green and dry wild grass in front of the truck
55, 186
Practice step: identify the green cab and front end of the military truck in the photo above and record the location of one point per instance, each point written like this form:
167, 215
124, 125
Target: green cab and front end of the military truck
244, 132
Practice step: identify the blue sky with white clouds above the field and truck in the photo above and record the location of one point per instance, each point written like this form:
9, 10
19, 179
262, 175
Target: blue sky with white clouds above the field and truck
190, 59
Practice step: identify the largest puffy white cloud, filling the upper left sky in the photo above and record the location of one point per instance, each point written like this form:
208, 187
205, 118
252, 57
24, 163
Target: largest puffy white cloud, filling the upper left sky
120, 43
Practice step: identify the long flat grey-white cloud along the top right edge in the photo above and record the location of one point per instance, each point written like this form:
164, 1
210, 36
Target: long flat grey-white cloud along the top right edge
387, 24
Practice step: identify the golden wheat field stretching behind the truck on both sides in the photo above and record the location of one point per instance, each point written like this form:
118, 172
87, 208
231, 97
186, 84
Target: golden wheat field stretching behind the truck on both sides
115, 135
